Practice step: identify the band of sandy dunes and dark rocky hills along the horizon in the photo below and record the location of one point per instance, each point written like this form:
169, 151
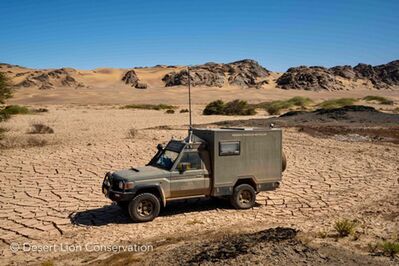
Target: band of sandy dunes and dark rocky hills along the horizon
244, 73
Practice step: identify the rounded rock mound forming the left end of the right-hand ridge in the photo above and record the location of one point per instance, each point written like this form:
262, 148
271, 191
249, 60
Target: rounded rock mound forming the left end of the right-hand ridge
309, 78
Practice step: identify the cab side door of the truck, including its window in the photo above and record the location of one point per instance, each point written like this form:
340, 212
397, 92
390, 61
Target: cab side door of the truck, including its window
189, 178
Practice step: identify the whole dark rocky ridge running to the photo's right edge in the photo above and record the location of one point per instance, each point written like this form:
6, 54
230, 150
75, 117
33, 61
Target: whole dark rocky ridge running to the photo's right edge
320, 78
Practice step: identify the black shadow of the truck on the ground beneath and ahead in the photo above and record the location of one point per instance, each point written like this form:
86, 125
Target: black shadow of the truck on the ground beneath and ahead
112, 214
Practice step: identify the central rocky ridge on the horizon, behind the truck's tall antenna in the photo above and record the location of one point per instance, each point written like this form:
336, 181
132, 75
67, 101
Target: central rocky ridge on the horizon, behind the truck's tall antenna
244, 73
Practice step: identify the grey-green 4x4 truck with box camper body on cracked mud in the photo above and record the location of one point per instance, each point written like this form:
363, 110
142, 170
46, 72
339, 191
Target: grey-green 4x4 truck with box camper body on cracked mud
226, 162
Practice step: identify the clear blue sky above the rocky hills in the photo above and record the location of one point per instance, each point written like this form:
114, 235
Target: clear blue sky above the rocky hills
278, 34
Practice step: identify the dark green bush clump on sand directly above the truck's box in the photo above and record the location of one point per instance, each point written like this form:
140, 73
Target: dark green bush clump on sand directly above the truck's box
236, 107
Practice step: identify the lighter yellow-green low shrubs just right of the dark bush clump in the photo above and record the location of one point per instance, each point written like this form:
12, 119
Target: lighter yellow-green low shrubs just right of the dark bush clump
275, 107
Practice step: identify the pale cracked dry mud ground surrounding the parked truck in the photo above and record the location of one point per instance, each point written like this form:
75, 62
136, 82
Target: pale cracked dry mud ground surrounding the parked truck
52, 194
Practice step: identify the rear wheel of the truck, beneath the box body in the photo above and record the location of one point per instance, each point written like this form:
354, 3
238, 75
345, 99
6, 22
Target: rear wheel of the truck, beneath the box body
244, 197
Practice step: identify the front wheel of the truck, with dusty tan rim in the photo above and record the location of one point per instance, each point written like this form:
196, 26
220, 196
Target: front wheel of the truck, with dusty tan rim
144, 207
